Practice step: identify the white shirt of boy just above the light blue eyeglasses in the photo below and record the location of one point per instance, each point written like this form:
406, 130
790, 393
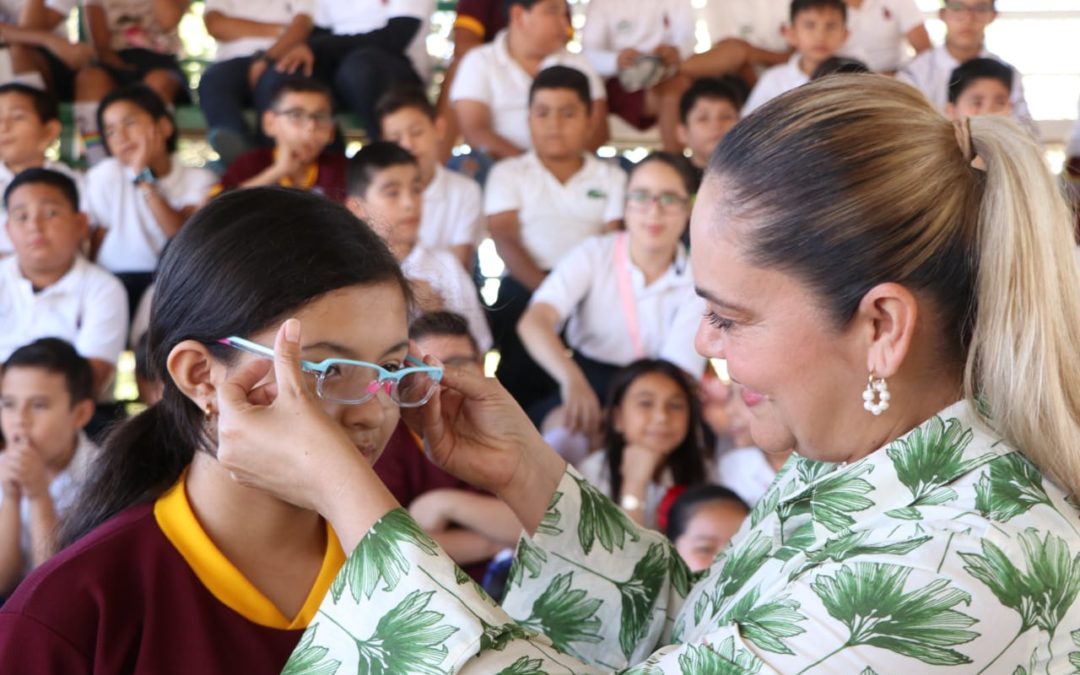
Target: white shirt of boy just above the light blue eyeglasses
457, 290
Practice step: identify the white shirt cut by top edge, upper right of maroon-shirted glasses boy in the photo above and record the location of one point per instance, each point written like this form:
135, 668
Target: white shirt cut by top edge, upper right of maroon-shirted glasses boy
350, 18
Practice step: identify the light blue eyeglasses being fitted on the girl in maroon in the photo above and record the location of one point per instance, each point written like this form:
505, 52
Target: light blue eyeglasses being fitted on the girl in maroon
353, 383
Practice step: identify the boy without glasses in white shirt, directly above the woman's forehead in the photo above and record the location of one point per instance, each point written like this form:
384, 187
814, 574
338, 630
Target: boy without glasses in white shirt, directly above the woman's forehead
817, 32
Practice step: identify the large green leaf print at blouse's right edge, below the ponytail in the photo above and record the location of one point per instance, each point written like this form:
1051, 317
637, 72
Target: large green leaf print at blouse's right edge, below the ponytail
1044, 593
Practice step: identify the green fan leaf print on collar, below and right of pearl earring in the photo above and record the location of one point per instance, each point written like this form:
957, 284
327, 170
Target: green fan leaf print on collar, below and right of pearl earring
928, 461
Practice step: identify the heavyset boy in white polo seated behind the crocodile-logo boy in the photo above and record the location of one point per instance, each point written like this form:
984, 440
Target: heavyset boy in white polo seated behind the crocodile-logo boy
491, 90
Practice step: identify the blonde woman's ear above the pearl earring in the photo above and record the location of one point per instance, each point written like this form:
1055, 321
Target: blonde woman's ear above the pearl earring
890, 314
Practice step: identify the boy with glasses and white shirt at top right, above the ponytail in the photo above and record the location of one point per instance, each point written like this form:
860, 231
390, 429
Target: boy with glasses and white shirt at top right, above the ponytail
966, 23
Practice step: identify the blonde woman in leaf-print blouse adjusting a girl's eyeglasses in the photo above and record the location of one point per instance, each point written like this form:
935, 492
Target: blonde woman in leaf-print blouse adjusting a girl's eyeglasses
898, 296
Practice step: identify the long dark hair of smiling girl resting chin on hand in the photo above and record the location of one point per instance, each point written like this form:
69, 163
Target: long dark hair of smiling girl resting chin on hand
687, 462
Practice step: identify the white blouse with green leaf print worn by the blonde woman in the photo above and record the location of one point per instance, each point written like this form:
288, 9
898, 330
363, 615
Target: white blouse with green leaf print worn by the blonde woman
946, 550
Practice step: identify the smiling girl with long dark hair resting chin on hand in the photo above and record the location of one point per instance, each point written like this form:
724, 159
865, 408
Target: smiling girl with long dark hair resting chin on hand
652, 439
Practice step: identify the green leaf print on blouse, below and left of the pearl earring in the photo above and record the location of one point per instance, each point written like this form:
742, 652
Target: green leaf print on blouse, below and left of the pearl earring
832, 499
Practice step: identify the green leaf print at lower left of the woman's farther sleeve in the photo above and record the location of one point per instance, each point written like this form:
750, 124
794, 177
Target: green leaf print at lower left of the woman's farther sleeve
565, 615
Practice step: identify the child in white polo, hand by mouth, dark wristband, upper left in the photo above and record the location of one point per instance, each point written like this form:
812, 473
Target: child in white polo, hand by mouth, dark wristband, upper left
142, 195
